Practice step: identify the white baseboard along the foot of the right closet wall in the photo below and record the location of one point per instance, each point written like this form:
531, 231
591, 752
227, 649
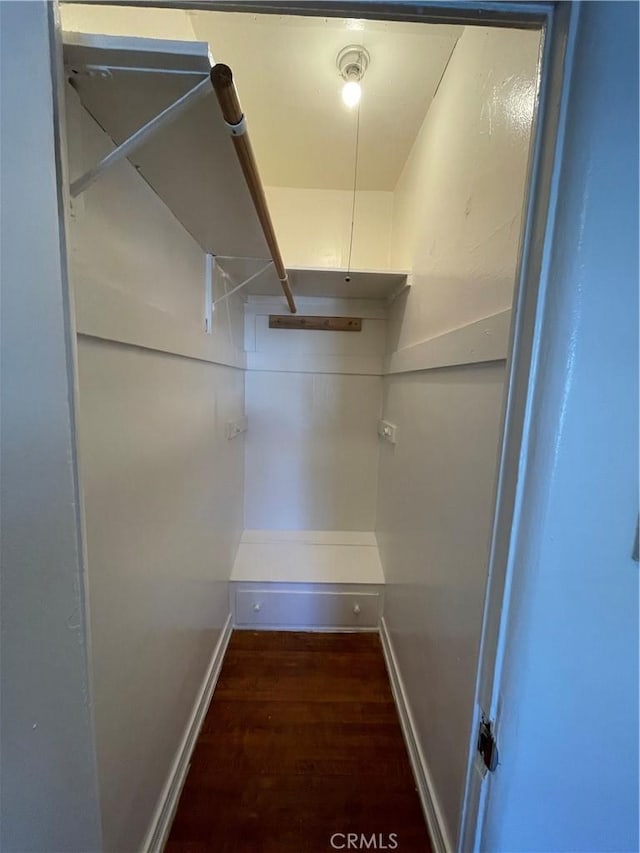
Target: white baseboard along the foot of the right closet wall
430, 806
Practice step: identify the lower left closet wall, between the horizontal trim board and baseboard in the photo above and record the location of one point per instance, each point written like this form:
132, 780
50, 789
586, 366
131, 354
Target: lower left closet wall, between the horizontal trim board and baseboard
163, 496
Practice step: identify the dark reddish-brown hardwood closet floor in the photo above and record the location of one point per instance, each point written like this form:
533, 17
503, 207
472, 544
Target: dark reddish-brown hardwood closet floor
301, 743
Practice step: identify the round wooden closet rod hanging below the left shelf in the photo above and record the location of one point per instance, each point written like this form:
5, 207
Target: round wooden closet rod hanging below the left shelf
222, 80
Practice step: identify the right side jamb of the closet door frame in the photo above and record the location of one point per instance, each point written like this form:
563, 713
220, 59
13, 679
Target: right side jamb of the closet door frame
525, 351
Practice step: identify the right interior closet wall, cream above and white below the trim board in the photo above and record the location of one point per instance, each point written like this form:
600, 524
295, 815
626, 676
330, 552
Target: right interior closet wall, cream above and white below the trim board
456, 226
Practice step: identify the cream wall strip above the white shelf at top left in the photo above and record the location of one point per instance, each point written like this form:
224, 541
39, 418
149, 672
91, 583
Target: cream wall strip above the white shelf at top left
172, 24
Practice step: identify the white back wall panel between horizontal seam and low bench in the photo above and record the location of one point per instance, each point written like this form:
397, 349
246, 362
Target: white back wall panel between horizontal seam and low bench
311, 451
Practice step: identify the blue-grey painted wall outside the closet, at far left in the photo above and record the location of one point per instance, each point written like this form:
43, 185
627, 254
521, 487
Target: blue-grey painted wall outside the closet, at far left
48, 780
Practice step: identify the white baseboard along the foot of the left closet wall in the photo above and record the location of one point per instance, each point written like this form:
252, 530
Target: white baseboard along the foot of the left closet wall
168, 802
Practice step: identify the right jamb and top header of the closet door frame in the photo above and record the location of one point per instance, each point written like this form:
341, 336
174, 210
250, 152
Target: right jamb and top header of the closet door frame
557, 22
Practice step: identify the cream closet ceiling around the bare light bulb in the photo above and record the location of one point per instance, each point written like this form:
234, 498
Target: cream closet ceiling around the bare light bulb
289, 86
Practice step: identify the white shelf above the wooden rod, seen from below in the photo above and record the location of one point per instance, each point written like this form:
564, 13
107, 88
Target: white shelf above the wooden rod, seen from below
190, 163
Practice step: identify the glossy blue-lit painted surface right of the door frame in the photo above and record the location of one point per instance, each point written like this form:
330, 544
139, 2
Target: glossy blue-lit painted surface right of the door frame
568, 728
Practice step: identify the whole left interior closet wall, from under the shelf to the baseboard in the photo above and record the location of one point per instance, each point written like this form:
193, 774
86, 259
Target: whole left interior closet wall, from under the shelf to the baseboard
162, 483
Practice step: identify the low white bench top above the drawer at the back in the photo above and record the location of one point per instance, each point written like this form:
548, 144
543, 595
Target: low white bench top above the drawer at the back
309, 556
